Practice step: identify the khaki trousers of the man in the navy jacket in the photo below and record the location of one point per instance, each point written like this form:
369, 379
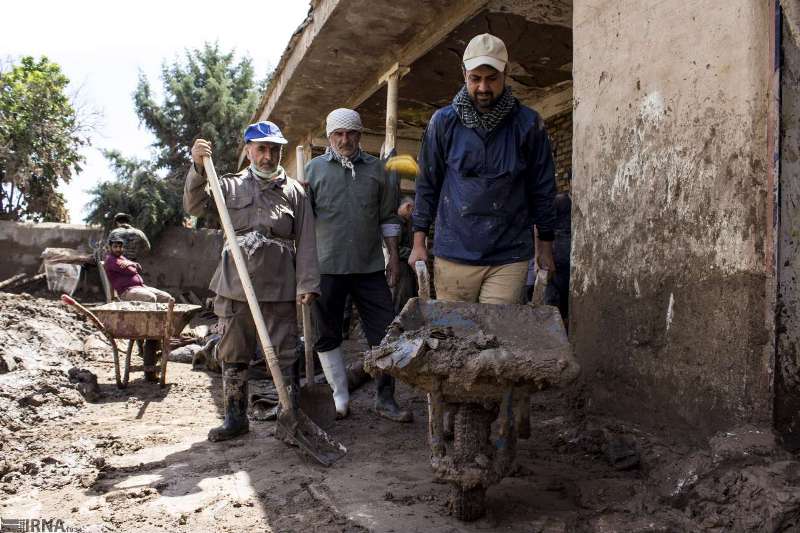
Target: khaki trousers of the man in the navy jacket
501, 284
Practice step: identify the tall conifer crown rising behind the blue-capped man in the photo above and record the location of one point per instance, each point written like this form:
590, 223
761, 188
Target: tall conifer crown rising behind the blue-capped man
209, 95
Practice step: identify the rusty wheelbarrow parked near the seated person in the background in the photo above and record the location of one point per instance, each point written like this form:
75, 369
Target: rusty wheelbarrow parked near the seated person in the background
137, 321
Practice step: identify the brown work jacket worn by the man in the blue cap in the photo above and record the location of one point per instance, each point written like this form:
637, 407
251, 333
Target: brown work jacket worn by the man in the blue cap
284, 265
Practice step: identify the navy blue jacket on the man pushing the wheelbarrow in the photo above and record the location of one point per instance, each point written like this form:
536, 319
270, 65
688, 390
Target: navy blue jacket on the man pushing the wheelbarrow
486, 191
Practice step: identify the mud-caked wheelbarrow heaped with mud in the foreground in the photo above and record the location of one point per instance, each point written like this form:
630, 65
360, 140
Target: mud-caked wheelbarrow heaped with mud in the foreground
479, 363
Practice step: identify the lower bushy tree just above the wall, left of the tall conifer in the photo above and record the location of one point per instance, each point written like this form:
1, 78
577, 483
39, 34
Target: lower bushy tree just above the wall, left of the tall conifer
152, 202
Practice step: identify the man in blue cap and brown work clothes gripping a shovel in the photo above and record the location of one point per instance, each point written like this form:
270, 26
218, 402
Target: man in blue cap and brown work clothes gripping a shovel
274, 225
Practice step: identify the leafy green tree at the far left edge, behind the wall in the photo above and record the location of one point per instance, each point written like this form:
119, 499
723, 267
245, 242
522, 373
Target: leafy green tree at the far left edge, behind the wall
40, 141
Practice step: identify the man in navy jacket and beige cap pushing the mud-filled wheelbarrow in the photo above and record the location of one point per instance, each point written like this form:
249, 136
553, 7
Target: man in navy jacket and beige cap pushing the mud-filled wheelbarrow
486, 178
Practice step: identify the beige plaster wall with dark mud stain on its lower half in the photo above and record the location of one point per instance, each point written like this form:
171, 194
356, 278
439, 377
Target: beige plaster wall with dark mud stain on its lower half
670, 216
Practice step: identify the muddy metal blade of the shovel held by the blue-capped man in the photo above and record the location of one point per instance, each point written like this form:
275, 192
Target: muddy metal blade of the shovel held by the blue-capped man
295, 428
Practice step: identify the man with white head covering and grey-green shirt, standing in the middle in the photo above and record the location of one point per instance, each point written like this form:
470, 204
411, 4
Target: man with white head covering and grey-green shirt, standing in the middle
355, 207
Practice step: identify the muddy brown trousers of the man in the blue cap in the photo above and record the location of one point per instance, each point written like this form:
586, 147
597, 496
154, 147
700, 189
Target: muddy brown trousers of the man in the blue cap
240, 338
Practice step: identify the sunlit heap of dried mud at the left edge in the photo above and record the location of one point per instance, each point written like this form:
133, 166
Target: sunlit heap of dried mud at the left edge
41, 388
